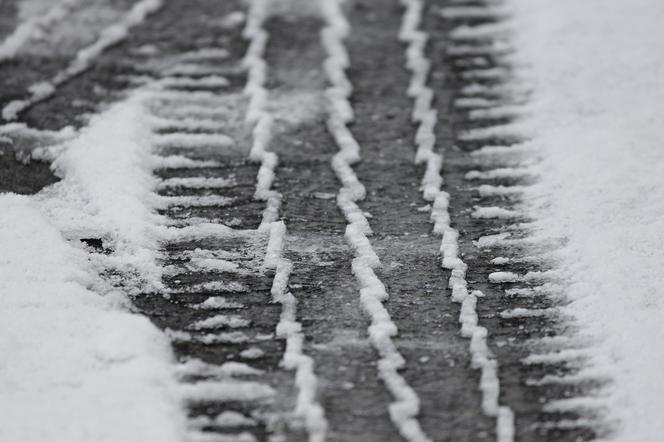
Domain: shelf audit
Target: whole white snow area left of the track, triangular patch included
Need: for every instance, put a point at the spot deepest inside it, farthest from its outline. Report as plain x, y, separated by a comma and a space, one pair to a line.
78, 365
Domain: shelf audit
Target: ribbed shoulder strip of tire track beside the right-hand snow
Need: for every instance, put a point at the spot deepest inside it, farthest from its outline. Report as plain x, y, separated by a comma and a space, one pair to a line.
541, 360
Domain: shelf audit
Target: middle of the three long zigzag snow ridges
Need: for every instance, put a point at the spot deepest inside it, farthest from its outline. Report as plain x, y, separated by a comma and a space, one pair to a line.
405, 408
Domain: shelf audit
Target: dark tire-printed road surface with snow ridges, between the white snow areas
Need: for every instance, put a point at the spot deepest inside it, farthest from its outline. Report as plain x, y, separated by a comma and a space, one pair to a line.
353, 261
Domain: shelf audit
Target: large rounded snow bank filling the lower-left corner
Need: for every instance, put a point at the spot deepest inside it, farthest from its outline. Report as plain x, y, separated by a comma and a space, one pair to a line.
75, 366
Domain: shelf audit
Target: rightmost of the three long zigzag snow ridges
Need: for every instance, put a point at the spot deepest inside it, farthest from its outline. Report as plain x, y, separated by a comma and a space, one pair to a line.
425, 116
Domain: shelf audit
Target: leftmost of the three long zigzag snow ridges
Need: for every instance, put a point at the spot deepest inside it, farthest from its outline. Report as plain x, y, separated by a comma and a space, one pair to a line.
288, 328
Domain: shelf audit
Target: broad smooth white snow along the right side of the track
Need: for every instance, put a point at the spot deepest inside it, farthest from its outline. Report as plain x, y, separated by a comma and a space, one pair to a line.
597, 69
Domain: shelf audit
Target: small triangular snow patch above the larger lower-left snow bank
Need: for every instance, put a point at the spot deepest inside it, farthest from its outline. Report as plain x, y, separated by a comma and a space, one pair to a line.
107, 192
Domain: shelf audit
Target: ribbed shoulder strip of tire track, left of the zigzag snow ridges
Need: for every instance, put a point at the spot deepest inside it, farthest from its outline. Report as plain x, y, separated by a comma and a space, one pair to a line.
216, 299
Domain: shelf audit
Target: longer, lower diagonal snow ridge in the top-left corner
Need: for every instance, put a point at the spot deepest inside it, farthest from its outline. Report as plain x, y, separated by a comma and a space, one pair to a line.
84, 58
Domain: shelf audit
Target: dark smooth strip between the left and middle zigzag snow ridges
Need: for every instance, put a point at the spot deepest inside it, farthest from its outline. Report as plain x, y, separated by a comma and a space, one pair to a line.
350, 390
